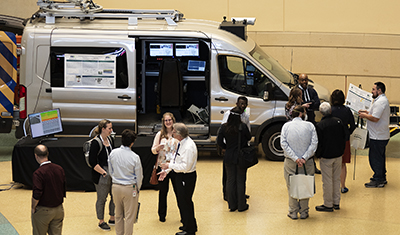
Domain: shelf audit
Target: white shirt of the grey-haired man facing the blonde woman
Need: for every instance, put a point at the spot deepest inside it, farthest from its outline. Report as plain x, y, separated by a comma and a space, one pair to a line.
186, 158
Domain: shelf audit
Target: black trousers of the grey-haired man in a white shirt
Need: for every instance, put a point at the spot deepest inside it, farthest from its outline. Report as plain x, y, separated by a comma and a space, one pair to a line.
185, 184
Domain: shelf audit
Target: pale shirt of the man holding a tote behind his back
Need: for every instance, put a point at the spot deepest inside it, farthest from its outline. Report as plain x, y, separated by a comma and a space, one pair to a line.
299, 139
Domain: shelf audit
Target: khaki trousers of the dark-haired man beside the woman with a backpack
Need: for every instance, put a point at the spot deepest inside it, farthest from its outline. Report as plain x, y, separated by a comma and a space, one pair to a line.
126, 206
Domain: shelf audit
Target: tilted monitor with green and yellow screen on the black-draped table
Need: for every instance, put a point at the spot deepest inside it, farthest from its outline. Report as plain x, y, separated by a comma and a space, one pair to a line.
45, 123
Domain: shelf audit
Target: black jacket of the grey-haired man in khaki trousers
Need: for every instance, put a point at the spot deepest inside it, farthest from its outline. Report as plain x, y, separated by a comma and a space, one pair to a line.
331, 137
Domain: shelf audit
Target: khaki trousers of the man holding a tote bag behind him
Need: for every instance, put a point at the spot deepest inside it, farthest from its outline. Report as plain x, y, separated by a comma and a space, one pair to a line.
296, 205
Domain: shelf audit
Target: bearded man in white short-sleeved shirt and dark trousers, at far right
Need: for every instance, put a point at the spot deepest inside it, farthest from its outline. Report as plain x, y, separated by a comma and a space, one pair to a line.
378, 118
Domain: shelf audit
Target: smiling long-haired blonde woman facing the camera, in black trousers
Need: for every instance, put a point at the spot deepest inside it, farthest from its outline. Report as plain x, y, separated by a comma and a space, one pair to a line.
165, 146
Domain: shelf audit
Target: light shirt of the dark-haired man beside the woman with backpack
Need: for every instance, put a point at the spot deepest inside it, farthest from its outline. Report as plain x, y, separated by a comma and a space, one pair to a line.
125, 167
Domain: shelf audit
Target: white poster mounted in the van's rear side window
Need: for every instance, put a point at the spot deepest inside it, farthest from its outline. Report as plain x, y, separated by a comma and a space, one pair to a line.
97, 71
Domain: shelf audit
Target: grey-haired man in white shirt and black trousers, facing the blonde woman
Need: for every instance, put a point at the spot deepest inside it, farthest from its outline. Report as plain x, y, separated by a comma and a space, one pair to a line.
184, 167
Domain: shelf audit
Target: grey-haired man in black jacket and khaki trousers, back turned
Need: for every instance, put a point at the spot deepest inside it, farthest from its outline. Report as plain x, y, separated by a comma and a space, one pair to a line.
331, 143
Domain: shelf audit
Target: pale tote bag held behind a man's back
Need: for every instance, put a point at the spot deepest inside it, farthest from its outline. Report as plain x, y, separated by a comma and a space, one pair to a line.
301, 186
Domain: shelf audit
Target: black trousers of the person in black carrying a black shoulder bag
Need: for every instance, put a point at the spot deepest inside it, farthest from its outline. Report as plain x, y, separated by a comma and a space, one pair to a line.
236, 186
